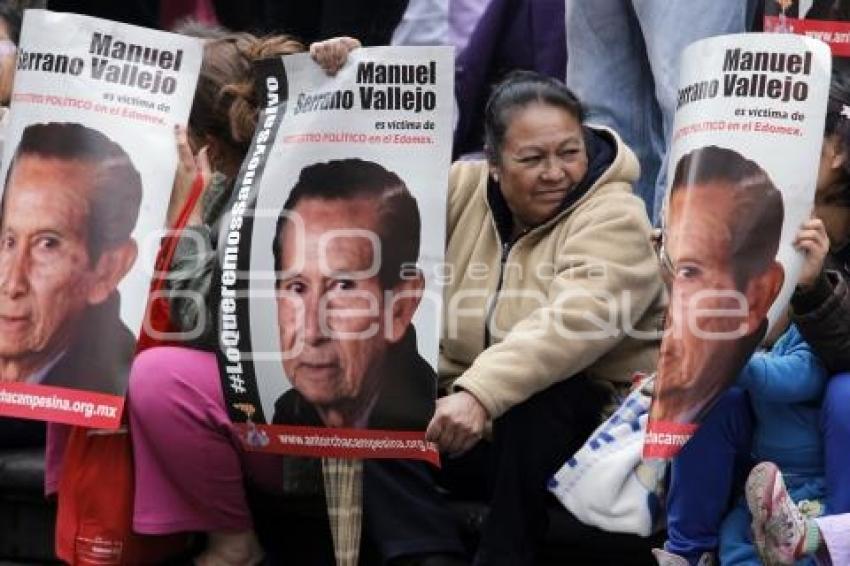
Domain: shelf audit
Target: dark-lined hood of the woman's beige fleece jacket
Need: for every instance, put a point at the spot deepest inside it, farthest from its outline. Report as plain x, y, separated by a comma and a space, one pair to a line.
608, 160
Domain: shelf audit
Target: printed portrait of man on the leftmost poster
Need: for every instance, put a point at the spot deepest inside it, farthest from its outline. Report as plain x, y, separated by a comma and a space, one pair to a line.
71, 201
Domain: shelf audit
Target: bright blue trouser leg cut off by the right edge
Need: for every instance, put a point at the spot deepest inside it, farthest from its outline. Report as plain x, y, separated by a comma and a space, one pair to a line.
835, 418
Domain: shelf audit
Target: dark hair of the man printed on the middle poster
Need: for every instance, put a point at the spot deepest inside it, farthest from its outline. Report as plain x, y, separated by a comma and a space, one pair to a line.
399, 223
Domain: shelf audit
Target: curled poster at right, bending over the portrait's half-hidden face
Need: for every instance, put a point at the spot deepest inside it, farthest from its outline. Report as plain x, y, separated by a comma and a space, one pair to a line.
744, 159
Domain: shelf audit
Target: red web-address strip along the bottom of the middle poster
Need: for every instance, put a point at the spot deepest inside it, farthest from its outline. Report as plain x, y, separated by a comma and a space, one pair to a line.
338, 442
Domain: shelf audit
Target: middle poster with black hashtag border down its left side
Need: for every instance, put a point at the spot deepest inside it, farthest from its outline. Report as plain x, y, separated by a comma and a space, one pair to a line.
330, 306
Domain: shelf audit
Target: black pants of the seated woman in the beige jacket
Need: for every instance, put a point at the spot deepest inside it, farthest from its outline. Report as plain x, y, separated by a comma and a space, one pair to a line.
530, 443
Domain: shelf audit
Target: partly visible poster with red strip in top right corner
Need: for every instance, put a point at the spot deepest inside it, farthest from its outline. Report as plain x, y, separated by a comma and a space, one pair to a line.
827, 20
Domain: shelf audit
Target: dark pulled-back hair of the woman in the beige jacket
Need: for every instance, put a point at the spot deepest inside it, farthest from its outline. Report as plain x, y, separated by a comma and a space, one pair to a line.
516, 91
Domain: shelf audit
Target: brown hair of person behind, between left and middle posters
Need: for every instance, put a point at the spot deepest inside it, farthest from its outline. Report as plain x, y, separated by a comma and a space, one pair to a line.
226, 104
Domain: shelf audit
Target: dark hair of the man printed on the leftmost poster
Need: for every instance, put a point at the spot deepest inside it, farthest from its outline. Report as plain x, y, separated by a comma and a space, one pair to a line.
116, 184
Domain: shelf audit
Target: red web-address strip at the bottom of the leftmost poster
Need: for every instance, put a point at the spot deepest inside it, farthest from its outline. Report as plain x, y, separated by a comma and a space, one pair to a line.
61, 405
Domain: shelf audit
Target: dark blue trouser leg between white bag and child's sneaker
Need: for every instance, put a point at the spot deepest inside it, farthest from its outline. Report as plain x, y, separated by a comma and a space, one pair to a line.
703, 475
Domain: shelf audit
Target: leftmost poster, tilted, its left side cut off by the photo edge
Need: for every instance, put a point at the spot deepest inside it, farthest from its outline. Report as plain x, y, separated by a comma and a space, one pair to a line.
88, 164
